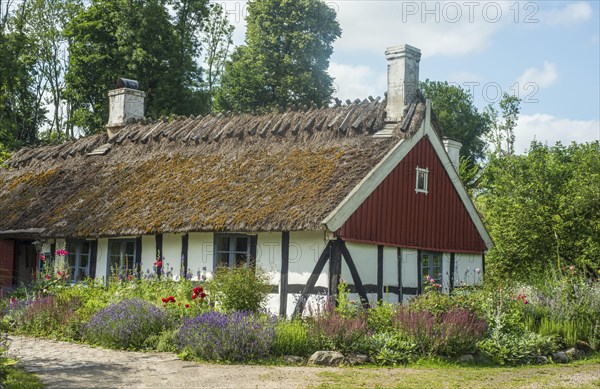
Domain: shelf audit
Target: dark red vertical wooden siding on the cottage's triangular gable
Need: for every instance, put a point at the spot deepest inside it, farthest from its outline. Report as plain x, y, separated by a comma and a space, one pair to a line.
394, 214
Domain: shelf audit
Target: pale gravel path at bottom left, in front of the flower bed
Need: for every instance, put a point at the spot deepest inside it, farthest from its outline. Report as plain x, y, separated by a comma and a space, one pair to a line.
68, 365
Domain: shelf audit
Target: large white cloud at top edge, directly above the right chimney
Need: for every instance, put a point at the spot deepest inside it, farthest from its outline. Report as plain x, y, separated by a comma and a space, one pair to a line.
437, 28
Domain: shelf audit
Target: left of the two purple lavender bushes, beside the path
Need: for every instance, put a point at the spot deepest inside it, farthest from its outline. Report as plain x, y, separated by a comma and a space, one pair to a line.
126, 325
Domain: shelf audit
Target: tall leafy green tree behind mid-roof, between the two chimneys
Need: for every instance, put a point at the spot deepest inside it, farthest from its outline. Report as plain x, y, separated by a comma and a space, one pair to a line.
285, 58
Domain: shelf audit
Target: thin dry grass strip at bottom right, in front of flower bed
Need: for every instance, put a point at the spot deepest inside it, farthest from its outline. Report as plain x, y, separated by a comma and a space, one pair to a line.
580, 374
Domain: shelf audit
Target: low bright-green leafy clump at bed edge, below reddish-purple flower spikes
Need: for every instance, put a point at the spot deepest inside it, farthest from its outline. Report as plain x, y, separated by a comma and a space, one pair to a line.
392, 348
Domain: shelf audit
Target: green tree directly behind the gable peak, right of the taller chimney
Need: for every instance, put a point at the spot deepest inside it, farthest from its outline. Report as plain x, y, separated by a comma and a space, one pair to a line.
458, 117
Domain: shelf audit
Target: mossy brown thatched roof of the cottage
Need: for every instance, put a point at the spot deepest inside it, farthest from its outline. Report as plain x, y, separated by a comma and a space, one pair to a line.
279, 171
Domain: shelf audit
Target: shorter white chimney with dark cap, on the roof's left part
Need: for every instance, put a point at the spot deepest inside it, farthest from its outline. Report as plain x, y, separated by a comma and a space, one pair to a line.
126, 105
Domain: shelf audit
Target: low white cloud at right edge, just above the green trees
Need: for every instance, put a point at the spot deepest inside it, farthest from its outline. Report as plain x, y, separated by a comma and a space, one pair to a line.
550, 129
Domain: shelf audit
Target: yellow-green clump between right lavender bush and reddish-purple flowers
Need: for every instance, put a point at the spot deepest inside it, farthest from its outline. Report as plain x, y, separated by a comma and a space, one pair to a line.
293, 338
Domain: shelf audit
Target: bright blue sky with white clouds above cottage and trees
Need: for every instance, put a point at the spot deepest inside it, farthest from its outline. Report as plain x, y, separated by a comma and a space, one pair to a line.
545, 52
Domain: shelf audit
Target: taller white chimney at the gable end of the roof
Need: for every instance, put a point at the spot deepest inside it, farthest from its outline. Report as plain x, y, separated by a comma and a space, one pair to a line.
403, 79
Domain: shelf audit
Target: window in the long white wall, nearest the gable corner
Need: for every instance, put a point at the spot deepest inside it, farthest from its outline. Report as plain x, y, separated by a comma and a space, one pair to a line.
233, 250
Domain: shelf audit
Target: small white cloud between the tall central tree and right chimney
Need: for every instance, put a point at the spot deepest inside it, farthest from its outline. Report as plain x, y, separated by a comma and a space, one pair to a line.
356, 81
